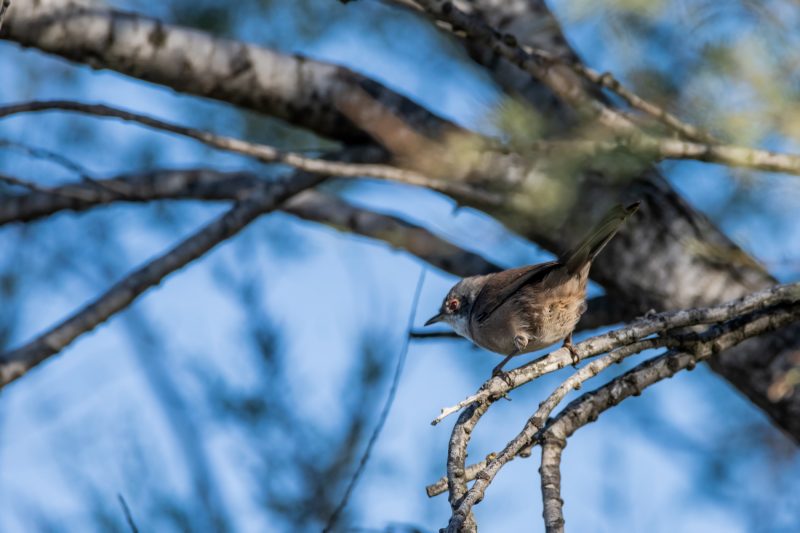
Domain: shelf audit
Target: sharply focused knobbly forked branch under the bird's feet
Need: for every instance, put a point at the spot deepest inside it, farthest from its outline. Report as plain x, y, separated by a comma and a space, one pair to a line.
689, 336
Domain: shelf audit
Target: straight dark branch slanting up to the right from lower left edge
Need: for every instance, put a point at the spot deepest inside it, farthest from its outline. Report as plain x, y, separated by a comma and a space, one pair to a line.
16, 363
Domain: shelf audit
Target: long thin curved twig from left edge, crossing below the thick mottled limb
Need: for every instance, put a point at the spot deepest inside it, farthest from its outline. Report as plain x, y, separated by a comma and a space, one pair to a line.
263, 152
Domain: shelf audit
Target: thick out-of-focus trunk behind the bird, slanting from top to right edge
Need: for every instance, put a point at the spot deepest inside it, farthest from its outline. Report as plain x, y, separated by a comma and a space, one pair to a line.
671, 257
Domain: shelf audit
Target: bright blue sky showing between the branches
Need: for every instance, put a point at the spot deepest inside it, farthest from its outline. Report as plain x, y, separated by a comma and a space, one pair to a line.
89, 417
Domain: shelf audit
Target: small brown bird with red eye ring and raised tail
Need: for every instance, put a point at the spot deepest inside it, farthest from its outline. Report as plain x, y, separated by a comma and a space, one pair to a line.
524, 309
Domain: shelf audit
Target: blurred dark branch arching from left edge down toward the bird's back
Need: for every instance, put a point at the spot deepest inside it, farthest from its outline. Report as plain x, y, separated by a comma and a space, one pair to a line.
206, 184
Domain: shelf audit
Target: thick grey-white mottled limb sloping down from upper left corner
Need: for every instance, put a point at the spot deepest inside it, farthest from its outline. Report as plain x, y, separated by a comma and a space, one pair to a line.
298, 89
